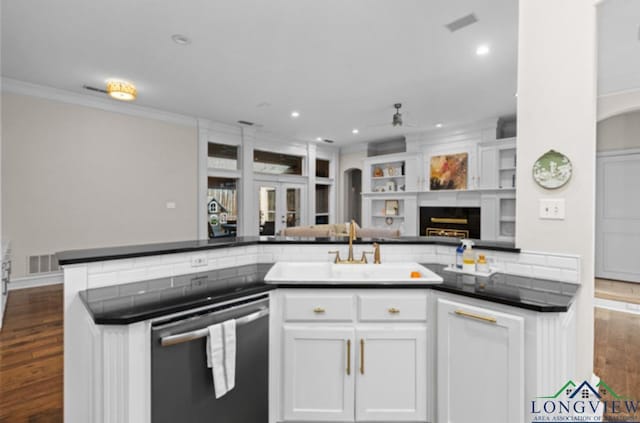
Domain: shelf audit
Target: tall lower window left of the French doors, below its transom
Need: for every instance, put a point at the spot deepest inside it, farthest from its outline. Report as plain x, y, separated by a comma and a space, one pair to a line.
222, 207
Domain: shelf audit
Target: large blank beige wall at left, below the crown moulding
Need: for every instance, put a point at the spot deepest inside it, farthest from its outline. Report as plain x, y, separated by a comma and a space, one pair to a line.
77, 177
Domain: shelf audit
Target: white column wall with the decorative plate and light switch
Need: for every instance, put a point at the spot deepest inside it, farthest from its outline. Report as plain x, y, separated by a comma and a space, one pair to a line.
557, 110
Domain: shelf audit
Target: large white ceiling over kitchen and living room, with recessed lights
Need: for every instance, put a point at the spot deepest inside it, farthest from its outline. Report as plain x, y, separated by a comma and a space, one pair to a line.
342, 64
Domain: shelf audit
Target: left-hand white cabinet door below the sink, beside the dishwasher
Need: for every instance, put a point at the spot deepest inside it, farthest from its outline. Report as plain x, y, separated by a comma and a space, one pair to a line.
319, 373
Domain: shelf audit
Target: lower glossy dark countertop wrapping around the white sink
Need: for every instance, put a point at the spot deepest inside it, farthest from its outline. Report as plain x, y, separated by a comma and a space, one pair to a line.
134, 302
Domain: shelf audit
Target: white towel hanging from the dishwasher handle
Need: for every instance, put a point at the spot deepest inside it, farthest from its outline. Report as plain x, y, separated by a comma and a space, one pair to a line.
221, 356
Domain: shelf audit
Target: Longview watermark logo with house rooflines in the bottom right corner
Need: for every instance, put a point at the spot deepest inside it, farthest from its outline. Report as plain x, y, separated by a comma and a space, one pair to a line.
585, 403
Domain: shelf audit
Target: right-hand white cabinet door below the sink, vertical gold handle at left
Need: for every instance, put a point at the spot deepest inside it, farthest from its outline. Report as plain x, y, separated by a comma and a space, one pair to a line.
391, 382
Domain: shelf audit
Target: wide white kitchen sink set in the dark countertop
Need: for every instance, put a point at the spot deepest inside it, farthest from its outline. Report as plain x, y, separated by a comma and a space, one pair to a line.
330, 273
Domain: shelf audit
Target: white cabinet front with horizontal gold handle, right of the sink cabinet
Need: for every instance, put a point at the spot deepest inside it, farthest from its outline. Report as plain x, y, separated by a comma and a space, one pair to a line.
480, 362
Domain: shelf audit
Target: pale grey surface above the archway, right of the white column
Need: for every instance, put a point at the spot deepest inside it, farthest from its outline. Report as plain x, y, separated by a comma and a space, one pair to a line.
618, 46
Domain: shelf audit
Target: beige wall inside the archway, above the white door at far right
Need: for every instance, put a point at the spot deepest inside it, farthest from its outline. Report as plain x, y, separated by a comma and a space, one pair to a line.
619, 132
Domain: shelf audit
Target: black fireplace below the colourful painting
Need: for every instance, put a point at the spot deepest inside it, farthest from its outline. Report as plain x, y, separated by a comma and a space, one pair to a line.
455, 222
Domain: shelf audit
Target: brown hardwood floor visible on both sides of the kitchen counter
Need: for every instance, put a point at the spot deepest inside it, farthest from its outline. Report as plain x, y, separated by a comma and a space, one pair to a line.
31, 362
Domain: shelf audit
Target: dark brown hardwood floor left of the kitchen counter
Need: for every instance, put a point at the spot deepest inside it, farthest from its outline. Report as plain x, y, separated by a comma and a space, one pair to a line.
31, 357
